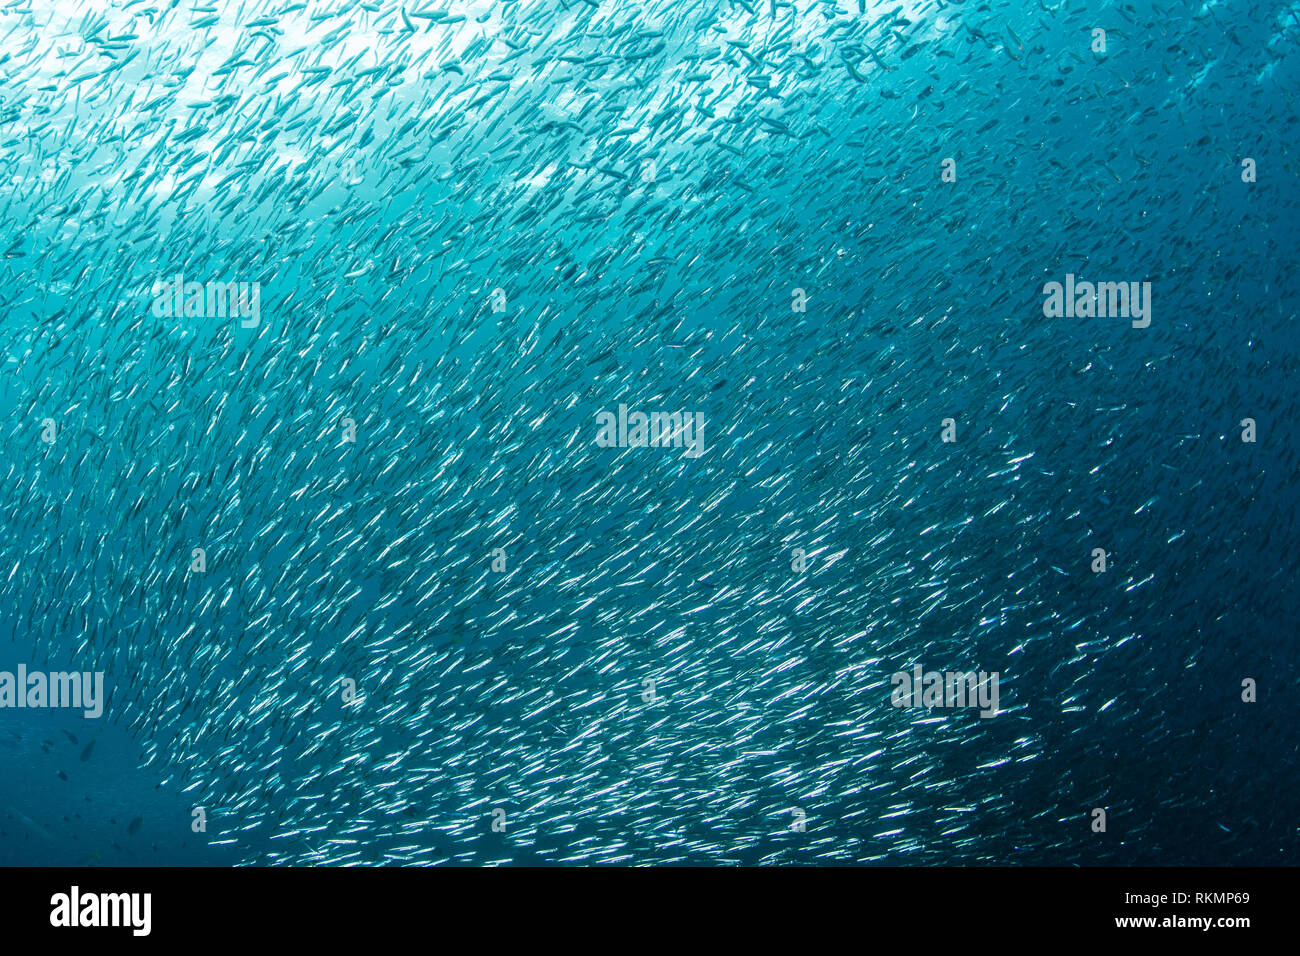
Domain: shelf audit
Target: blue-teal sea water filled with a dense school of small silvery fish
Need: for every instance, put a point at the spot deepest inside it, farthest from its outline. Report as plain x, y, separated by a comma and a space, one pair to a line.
474, 230
